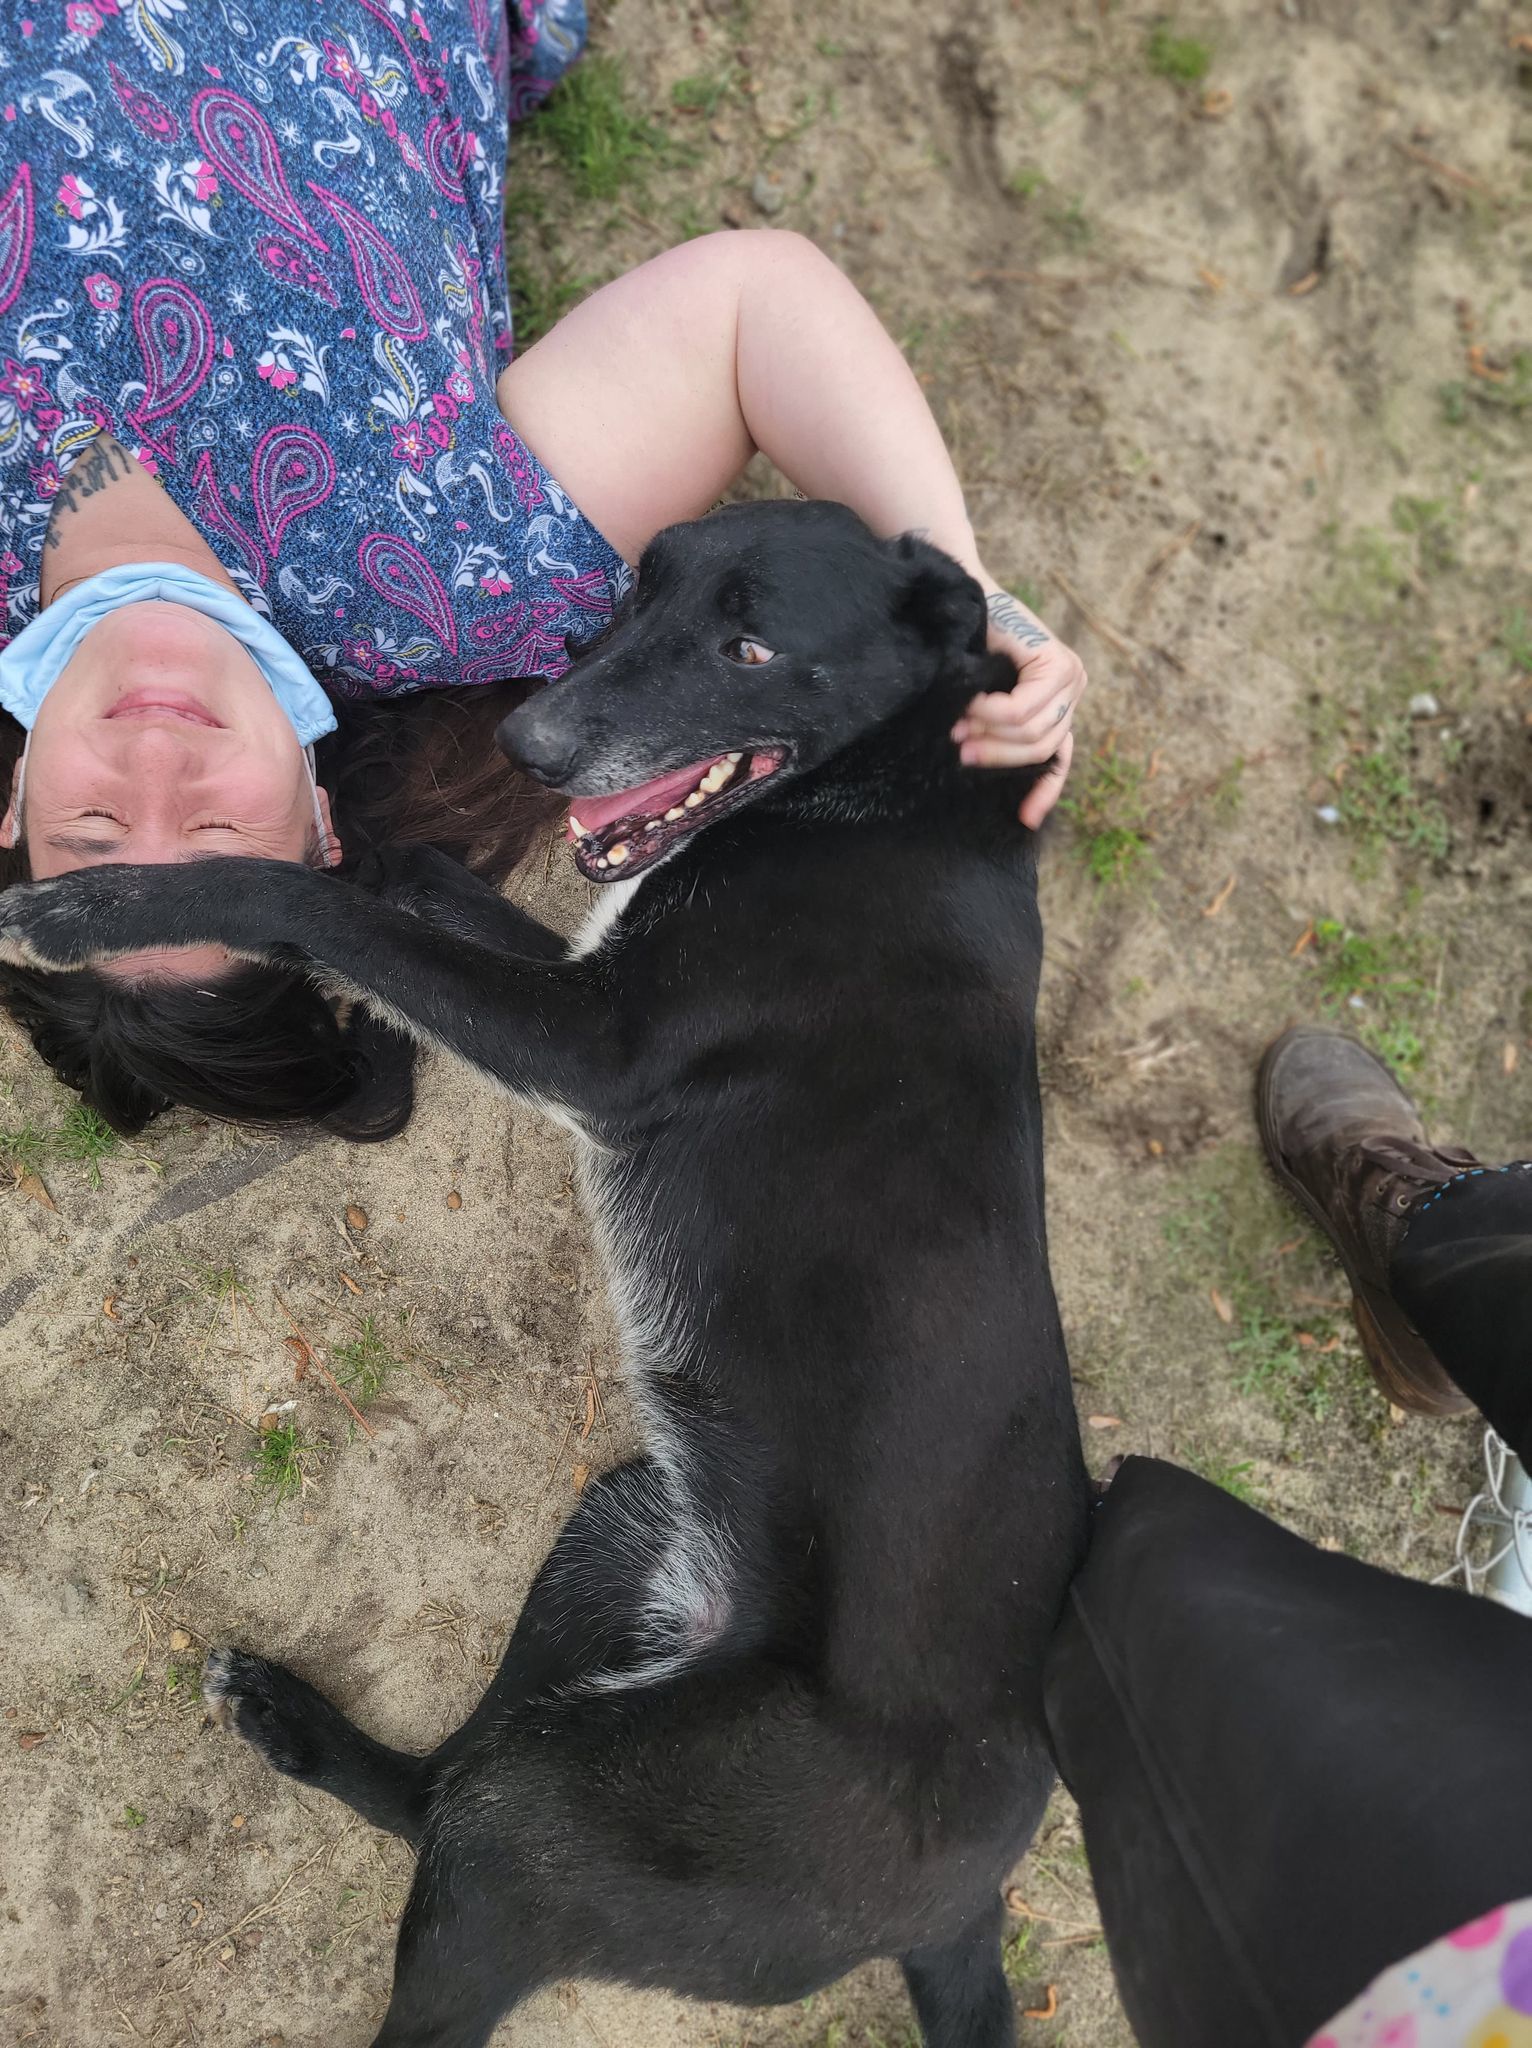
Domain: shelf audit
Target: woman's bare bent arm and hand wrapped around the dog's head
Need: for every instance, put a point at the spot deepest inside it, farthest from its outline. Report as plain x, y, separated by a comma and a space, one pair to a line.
648, 400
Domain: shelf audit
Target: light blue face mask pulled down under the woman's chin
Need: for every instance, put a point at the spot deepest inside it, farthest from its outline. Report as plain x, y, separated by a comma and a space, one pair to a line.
38, 656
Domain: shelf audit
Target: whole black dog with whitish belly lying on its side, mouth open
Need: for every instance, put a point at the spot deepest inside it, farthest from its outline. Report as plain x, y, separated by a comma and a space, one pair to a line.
773, 1705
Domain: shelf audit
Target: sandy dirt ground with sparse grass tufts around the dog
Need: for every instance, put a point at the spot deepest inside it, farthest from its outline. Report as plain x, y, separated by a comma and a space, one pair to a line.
1230, 327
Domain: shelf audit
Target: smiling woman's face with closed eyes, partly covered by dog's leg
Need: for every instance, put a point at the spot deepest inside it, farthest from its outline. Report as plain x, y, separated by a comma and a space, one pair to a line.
161, 742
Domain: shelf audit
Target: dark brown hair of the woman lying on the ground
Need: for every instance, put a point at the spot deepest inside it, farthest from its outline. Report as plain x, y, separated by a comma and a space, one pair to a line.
263, 1046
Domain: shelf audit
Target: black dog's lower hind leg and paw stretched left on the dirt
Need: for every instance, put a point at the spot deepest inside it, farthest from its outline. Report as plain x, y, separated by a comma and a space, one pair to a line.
298, 1732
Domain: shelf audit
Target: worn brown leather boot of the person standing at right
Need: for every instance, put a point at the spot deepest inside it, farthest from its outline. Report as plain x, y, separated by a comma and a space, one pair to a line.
1349, 1144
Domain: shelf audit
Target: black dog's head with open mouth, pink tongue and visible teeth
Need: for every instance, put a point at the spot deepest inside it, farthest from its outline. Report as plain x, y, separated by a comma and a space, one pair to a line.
761, 642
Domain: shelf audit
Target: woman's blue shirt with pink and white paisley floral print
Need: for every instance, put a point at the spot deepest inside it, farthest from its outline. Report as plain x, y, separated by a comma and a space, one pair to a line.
263, 247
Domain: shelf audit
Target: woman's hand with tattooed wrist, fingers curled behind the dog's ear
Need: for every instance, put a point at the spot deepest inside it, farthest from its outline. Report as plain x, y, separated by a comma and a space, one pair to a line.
1037, 720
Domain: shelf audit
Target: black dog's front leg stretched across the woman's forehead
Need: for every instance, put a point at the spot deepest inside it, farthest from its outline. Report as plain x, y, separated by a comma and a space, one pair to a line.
540, 1025
